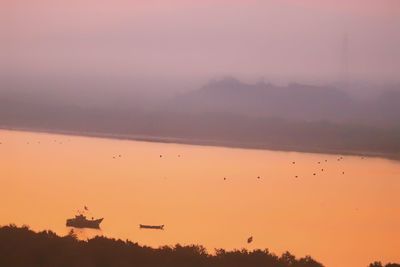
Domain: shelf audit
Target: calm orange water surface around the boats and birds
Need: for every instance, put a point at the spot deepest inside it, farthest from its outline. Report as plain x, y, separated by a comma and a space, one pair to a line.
340, 219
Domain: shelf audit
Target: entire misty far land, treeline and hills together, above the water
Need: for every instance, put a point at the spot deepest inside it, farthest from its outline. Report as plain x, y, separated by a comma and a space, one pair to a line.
226, 113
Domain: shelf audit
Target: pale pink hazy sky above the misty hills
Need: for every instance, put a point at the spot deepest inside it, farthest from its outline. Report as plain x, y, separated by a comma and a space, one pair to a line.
287, 40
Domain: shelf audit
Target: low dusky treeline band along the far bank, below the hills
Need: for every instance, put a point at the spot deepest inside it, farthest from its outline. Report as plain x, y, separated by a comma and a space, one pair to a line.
220, 129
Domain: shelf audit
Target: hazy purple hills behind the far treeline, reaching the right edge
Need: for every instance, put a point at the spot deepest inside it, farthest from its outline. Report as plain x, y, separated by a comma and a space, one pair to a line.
295, 102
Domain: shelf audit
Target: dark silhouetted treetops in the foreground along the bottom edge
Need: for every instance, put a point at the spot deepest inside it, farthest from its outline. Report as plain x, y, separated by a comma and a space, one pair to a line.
20, 246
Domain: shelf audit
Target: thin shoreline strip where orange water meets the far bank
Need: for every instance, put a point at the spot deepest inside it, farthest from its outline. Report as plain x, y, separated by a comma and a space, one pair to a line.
203, 142
